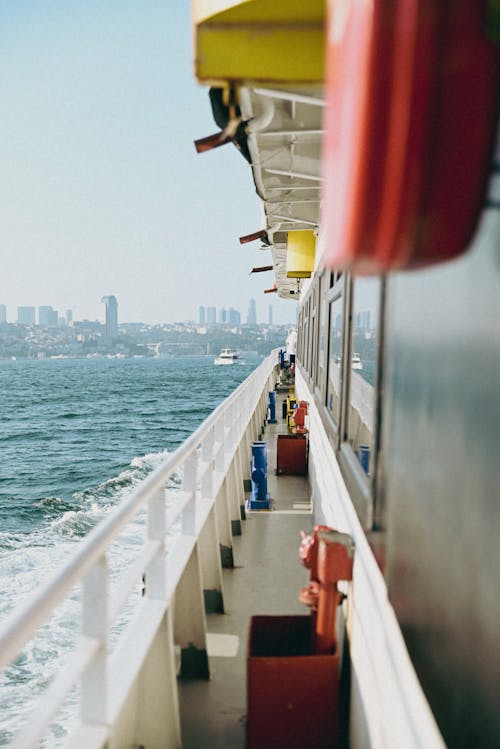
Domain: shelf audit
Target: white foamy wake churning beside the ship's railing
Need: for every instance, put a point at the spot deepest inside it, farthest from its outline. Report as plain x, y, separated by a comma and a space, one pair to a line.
27, 561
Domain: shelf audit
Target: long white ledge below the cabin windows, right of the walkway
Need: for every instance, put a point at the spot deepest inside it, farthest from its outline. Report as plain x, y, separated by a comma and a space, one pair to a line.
388, 706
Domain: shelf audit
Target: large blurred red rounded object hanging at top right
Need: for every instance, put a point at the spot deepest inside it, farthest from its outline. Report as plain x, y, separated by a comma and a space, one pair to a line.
410, 117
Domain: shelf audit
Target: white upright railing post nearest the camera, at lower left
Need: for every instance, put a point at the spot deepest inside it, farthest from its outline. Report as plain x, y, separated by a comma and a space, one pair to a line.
94, 700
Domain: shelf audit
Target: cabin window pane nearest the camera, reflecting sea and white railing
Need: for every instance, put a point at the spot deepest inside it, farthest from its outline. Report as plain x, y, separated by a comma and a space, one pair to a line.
364, 345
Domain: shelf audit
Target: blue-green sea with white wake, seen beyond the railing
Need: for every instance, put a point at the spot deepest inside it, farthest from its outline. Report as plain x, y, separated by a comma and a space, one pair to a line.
76, 436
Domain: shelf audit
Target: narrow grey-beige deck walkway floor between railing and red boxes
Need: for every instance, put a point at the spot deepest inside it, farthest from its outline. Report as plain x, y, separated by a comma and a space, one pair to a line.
265, 580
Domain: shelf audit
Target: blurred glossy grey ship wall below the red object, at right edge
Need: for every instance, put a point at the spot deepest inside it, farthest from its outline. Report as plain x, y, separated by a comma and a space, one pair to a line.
442, 514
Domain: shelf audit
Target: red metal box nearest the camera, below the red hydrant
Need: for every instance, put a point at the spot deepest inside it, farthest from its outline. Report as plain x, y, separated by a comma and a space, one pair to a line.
292, 694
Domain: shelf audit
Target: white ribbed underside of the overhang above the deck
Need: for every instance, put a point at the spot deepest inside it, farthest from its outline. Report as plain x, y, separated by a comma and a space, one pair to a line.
284, 139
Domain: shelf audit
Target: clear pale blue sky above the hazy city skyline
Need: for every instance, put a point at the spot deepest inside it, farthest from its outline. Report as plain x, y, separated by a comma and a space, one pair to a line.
101, 190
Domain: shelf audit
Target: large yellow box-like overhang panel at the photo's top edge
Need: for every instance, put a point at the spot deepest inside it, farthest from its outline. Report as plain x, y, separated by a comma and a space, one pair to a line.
259, 42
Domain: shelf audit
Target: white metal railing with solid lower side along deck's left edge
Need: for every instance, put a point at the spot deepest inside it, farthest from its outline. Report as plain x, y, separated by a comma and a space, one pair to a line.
212, 462
